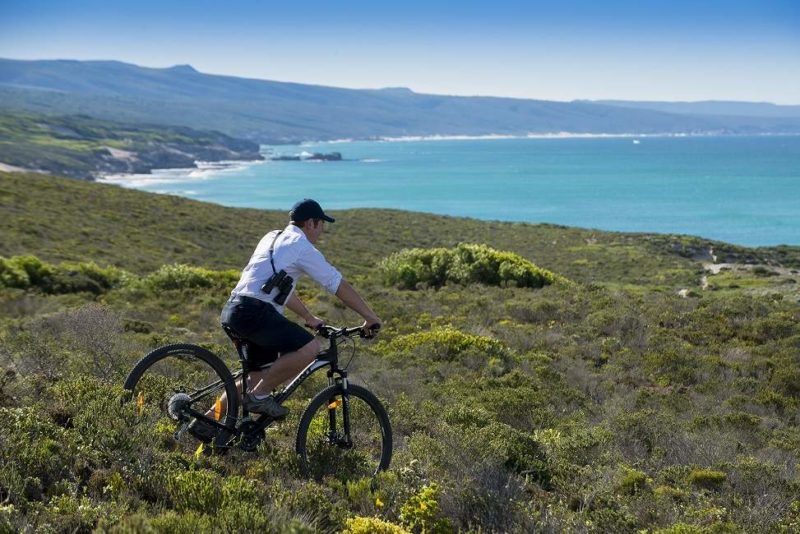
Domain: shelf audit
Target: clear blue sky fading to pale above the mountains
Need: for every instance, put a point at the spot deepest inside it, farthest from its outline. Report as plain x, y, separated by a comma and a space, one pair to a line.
675, 50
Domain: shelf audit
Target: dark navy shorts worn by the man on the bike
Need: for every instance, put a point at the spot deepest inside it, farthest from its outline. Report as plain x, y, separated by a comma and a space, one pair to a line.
270, 334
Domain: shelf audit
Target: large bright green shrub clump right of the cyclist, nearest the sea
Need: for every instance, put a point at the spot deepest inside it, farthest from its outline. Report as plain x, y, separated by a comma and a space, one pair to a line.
464, 264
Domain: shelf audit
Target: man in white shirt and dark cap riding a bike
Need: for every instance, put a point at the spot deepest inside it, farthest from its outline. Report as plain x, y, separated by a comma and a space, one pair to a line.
257, 315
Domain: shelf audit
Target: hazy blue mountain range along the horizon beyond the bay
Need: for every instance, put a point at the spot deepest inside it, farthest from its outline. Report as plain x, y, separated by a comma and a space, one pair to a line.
273, 112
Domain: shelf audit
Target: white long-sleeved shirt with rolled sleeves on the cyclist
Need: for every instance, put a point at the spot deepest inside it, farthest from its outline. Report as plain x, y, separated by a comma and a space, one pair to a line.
293, 253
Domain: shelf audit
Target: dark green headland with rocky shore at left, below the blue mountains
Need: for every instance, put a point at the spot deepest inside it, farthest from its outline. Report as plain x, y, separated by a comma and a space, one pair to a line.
83, 147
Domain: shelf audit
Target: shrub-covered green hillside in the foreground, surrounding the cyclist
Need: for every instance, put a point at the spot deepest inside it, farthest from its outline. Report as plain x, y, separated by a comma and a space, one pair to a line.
653, 390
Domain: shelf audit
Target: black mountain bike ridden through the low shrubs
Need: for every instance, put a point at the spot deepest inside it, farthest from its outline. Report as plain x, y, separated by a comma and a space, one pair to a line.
344, 431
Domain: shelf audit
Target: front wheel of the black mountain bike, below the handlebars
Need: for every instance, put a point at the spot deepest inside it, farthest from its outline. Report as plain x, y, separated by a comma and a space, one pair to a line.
346, 435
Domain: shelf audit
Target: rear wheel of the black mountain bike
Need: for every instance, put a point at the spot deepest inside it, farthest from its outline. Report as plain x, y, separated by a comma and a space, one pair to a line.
187, 368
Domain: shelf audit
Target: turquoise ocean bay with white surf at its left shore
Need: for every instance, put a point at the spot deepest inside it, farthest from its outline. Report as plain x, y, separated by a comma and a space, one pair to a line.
743, 190
